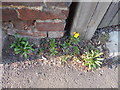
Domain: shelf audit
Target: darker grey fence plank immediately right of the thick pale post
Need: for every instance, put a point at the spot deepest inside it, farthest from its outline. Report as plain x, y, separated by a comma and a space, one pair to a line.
109, 15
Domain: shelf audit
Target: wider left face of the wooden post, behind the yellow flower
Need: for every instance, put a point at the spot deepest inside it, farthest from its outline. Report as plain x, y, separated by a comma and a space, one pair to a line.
82, 17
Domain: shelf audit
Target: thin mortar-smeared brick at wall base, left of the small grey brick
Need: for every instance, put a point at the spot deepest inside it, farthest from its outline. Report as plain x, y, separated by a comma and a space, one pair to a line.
37, 34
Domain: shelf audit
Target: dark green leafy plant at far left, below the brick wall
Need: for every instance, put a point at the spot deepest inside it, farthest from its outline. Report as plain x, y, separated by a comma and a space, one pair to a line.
21, 46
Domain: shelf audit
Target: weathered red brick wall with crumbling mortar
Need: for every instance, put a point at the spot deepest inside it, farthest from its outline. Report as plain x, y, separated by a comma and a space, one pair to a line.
36, 19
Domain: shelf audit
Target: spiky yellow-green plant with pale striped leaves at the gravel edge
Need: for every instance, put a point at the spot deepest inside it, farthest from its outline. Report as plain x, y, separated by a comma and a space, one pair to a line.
92, 59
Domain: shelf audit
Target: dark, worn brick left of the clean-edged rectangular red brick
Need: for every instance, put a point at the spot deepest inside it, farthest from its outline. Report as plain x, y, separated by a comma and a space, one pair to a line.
23, 25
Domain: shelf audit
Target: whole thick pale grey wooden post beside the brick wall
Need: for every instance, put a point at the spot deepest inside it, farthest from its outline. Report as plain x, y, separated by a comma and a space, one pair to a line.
88, 17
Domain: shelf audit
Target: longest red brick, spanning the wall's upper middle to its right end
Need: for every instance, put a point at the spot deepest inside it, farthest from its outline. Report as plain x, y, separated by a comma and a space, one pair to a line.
28, 14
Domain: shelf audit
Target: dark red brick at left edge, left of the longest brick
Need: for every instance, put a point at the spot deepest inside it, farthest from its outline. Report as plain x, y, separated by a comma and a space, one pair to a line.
9, 14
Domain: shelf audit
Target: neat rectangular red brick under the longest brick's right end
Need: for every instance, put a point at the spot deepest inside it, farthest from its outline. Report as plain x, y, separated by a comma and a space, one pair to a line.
50, 26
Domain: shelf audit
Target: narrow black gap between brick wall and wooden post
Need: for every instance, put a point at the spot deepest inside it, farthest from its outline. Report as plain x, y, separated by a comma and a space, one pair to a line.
70, 18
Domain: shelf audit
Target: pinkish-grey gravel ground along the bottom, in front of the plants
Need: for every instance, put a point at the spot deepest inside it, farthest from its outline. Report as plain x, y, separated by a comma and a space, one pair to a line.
44, 76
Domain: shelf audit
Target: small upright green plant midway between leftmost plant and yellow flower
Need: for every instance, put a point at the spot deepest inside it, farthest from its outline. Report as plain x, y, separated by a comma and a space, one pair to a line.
53, 47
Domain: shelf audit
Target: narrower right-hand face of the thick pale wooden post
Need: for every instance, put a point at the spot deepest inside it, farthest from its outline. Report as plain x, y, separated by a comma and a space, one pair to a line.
96, 19
